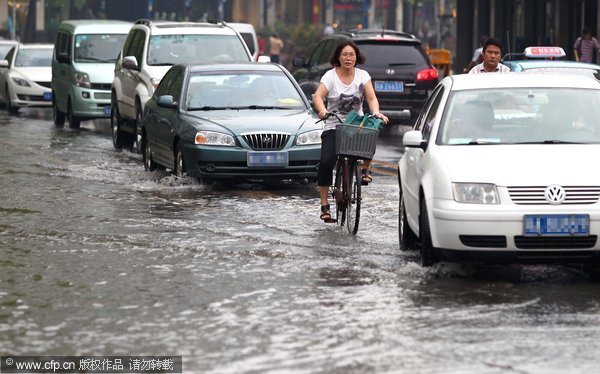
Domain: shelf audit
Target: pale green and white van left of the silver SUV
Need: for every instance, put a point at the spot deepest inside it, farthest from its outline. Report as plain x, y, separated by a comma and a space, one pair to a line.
83, 65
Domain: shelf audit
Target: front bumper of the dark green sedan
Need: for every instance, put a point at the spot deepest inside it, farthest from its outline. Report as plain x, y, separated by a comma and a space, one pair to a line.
213, 162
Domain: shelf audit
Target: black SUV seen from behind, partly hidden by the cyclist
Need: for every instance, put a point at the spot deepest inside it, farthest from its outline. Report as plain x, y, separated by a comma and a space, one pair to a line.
401, 72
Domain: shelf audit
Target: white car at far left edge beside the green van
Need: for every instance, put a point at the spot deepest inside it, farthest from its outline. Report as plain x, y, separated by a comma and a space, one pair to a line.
25, 77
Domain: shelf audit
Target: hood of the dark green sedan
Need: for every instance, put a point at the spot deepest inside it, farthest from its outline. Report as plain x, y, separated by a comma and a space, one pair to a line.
241, 121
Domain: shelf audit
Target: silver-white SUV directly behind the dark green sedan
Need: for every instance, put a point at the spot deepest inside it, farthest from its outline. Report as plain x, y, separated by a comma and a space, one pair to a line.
150, 49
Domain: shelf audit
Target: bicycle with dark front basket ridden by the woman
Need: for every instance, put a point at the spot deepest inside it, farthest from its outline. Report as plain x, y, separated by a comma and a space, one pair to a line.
353, 144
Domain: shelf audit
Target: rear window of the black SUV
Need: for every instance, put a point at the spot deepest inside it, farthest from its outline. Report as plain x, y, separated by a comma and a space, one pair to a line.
386, 54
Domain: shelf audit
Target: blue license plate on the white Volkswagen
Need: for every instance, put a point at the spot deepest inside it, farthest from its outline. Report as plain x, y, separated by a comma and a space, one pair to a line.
556, 225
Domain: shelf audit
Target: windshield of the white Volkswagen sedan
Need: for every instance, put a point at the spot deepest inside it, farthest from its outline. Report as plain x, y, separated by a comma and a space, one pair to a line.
521, 116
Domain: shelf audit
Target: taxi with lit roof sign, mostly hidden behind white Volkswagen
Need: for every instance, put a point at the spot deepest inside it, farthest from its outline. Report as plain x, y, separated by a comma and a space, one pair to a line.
541, 59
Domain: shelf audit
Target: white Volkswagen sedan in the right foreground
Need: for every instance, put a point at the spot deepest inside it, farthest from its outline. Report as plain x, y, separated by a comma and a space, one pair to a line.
501, 168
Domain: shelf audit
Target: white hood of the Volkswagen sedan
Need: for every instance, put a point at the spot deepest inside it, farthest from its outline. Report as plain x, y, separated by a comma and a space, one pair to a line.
521, 165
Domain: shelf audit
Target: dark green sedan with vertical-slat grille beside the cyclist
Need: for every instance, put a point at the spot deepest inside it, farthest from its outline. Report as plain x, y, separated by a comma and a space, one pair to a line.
231, 121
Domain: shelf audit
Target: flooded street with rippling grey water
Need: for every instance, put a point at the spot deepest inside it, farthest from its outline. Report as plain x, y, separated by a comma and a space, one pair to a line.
99, 257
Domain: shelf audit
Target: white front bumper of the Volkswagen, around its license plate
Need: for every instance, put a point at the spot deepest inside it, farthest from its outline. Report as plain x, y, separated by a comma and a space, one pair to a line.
500, 228
